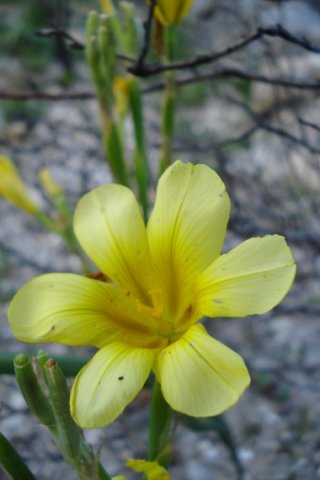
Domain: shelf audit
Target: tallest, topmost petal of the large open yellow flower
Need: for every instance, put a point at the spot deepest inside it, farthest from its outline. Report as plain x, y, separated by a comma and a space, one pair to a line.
186, 228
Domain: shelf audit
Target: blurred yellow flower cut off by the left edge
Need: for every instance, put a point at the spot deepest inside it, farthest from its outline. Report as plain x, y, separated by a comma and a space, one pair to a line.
12, 187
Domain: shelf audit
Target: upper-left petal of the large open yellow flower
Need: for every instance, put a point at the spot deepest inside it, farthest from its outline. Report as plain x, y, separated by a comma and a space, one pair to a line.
109, 226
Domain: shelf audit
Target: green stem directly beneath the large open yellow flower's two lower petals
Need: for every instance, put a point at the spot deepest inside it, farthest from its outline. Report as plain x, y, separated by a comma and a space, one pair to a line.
159, 424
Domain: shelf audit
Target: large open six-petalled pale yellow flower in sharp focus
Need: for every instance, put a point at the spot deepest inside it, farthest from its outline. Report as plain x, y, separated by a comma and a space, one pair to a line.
163, 279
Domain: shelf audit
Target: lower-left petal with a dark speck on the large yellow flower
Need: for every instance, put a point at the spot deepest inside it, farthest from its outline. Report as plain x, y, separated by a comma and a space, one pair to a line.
111, 380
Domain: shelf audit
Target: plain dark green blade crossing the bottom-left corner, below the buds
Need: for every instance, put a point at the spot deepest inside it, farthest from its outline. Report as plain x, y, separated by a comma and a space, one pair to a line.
12, 463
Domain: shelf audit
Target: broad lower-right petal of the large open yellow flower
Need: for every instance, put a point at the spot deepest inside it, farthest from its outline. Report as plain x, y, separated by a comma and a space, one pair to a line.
200, 376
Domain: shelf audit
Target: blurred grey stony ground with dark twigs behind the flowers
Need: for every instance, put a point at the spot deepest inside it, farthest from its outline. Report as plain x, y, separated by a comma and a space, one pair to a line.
253, 116
